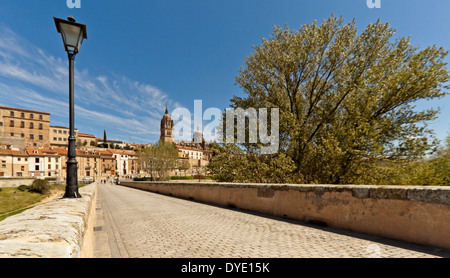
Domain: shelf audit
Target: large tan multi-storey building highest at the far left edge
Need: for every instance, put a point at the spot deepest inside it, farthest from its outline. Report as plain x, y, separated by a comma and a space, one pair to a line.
21, 128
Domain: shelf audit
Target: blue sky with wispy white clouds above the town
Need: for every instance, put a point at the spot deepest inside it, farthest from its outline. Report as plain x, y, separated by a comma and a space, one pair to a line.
142, 55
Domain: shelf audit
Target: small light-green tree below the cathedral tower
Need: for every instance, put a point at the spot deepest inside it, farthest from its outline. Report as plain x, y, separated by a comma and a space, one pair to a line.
160, 158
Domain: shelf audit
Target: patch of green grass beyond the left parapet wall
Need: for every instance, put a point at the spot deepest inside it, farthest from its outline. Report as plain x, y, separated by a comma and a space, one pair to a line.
14, 201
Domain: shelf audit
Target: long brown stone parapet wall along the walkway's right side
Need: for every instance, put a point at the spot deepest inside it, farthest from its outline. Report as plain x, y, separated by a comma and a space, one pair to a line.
418, 214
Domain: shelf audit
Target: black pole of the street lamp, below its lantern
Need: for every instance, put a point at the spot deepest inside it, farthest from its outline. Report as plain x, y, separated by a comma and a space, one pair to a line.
72, 164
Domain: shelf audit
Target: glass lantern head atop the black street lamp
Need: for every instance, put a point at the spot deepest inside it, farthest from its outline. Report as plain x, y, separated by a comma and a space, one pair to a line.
72, 33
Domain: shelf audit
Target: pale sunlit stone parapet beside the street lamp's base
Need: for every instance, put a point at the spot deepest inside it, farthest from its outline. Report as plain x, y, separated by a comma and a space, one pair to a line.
61, 228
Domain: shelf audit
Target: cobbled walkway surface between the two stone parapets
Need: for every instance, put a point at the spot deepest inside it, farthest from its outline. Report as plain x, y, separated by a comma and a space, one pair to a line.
138, 224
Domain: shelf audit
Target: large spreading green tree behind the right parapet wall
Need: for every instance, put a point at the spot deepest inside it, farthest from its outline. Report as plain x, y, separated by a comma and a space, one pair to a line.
344, 98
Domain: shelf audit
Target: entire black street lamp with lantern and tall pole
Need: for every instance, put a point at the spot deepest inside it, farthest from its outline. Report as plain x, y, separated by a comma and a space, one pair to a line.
72, 34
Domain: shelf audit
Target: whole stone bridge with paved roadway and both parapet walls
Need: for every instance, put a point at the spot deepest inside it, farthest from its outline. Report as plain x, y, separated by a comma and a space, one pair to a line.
221, 220
